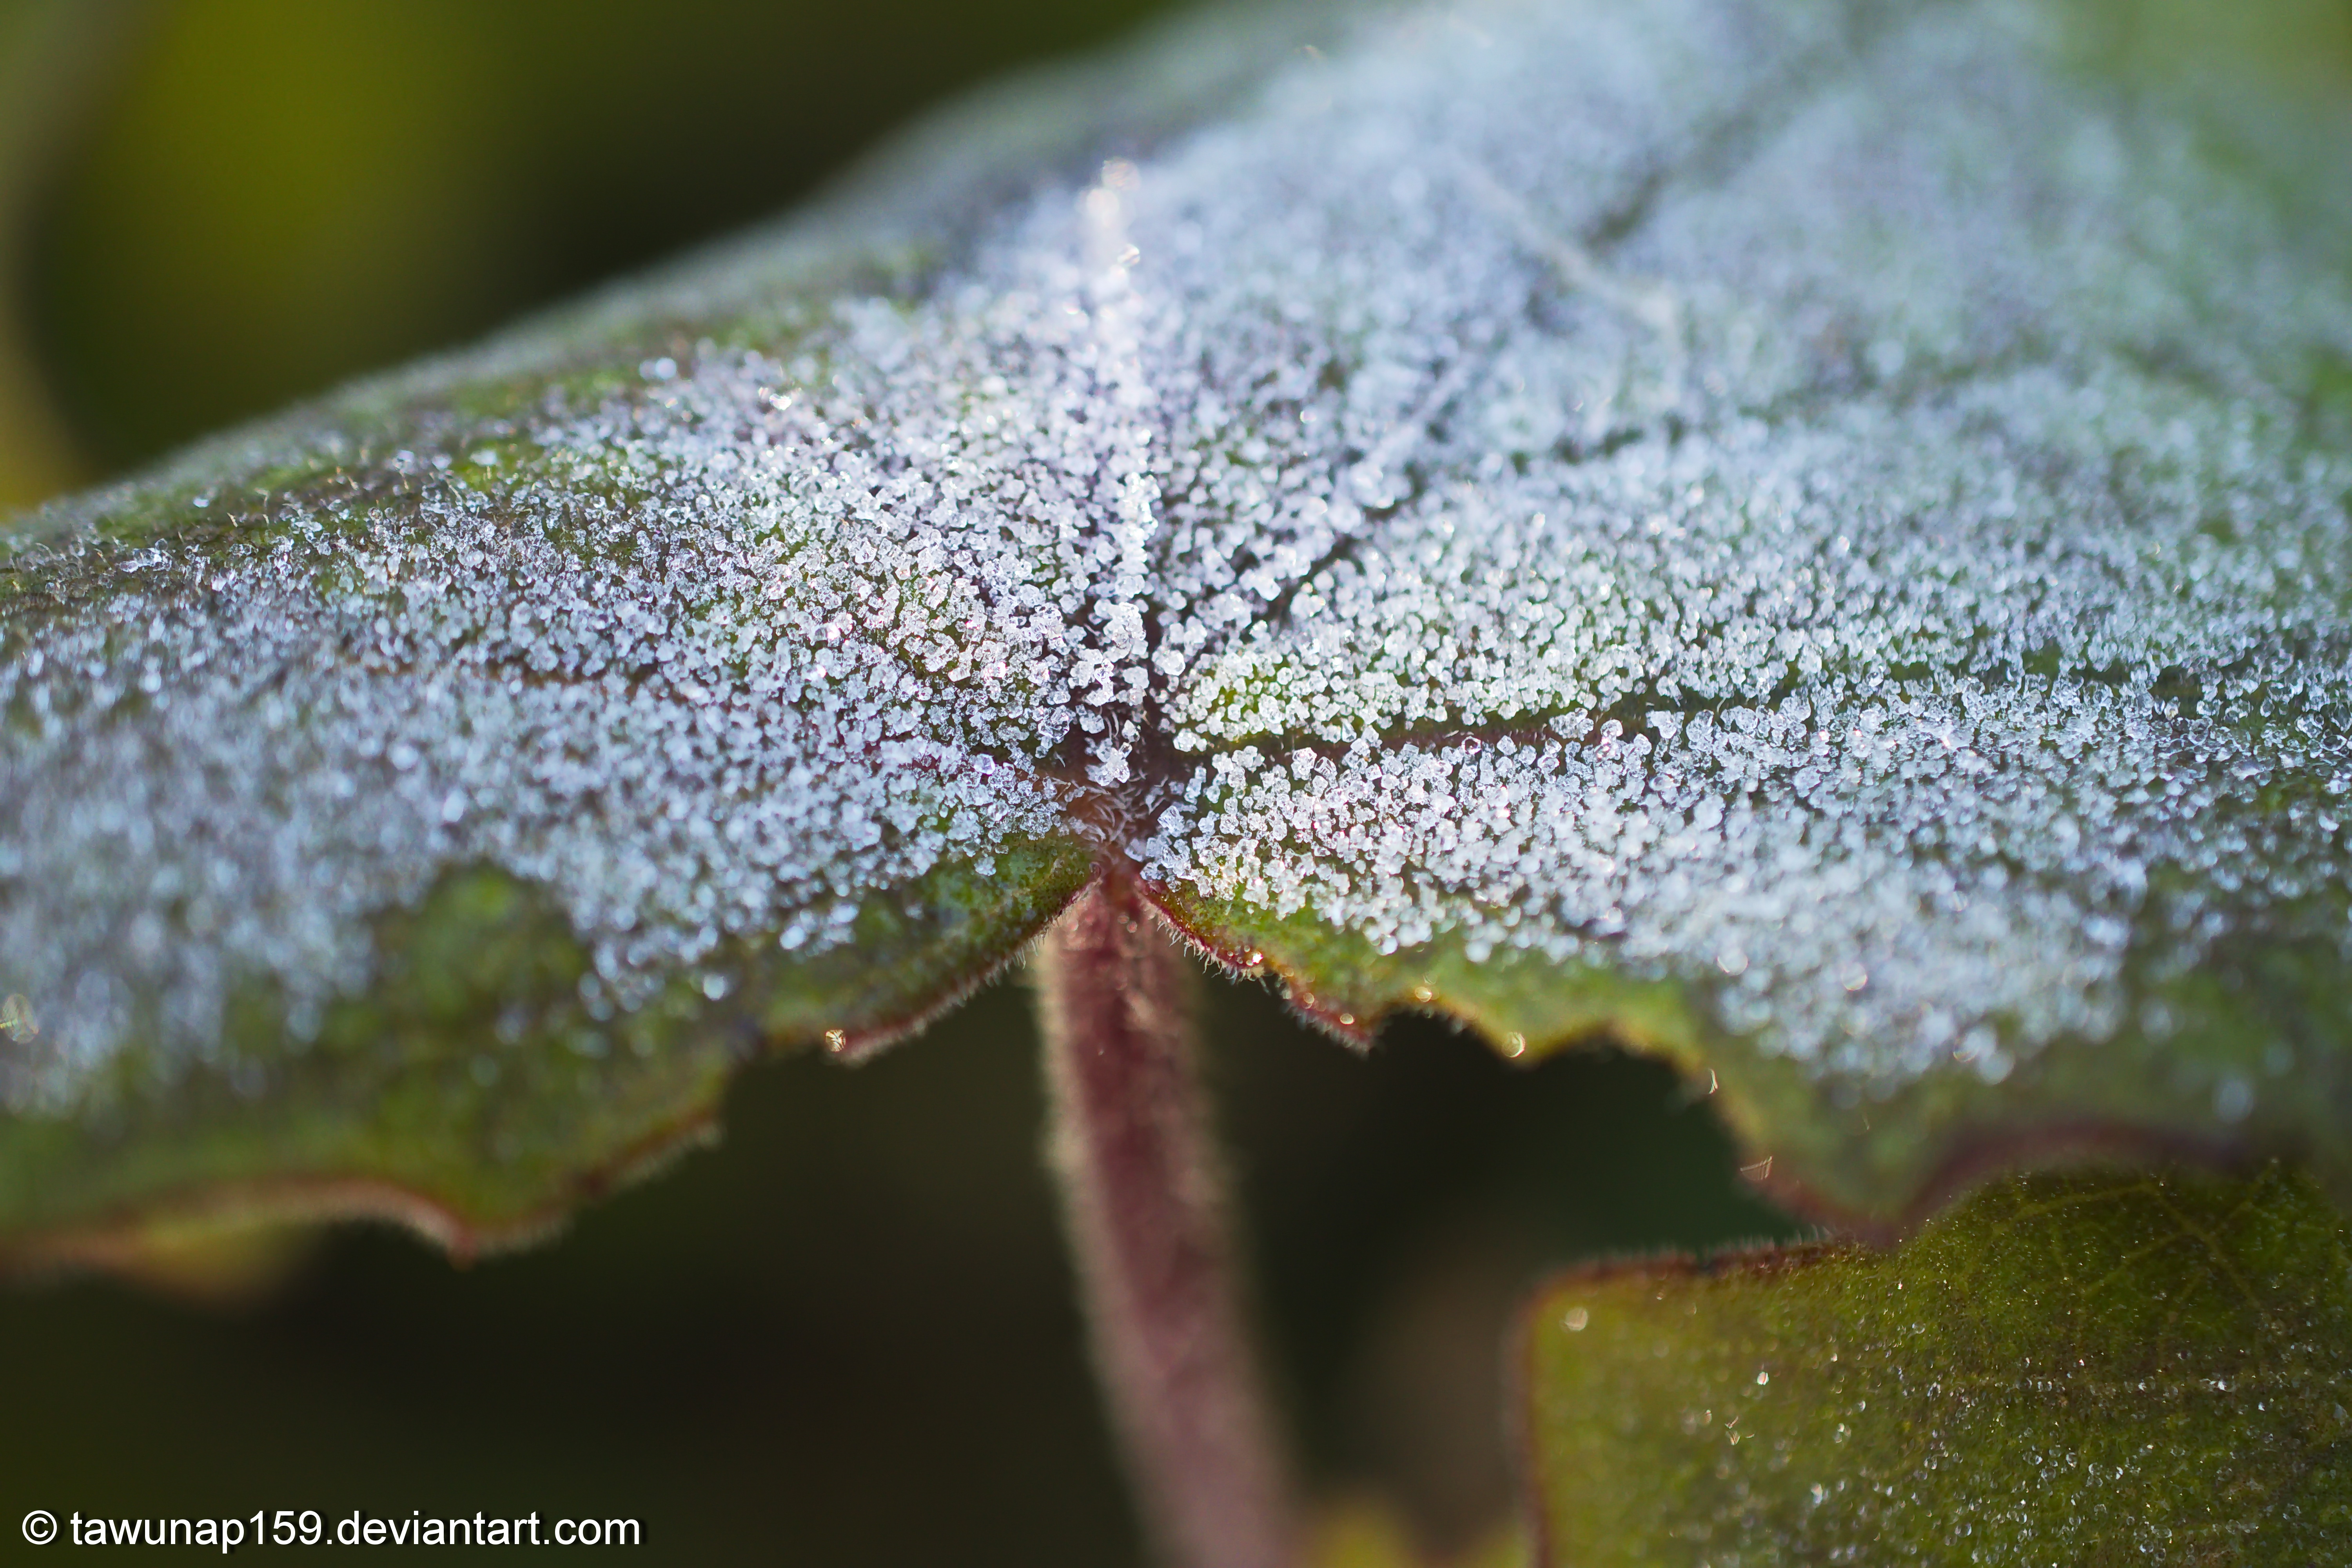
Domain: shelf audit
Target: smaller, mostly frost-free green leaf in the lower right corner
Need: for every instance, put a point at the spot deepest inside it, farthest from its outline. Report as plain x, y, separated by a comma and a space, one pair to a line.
2066, 1369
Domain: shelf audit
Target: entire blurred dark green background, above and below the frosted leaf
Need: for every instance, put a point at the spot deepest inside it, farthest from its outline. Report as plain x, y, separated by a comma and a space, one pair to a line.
848, 1334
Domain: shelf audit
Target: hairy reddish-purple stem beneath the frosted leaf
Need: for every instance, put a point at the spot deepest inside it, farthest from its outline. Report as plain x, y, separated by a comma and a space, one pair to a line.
1147, 1214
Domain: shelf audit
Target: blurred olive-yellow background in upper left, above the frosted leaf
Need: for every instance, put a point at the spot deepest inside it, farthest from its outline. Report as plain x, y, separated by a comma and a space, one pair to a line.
218, 208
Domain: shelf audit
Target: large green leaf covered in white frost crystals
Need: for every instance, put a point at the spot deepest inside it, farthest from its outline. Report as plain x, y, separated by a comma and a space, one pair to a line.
1808, 537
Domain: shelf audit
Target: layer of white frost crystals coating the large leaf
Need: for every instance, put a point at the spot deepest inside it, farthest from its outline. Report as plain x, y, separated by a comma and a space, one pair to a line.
1805, 500
